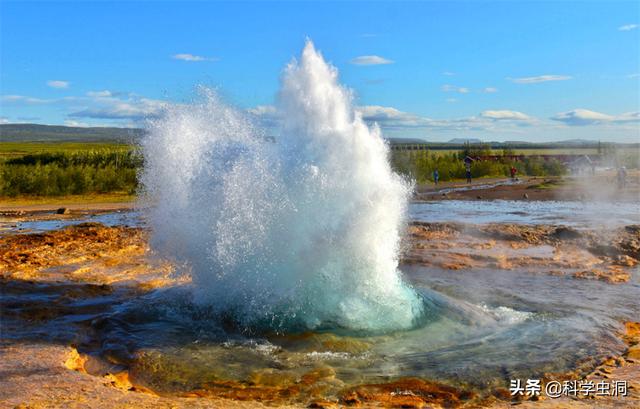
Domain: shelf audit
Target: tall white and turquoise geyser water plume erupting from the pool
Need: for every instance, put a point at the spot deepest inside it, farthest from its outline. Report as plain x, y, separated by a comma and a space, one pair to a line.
298, 233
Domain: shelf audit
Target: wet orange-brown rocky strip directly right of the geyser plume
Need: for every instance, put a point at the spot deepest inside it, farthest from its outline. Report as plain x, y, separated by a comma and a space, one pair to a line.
602, 255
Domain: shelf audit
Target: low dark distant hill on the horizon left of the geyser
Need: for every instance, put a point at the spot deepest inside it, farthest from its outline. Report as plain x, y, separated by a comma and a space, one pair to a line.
54, 133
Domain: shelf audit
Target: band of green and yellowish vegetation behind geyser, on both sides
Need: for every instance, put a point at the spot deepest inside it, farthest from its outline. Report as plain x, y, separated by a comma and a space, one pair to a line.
33, 169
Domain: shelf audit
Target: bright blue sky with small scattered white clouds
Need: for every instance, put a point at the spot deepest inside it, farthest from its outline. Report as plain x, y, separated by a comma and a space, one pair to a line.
533, 71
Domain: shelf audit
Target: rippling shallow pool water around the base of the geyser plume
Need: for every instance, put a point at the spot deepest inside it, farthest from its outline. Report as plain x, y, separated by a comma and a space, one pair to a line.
485, 327
